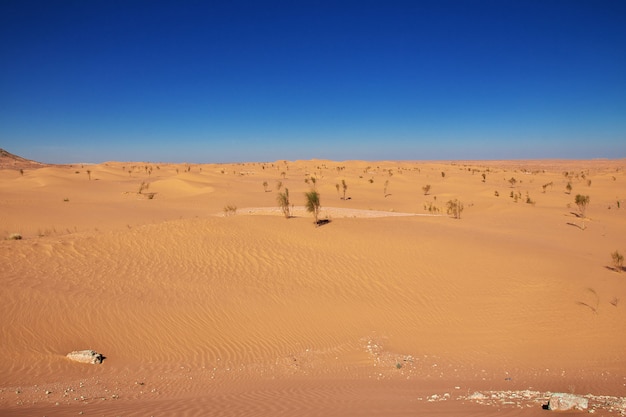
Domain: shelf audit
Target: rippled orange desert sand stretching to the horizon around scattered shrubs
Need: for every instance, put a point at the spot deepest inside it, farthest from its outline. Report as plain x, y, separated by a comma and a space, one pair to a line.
392, 308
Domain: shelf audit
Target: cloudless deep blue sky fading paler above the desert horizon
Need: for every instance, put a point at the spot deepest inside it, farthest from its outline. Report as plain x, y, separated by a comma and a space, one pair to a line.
222, 81
